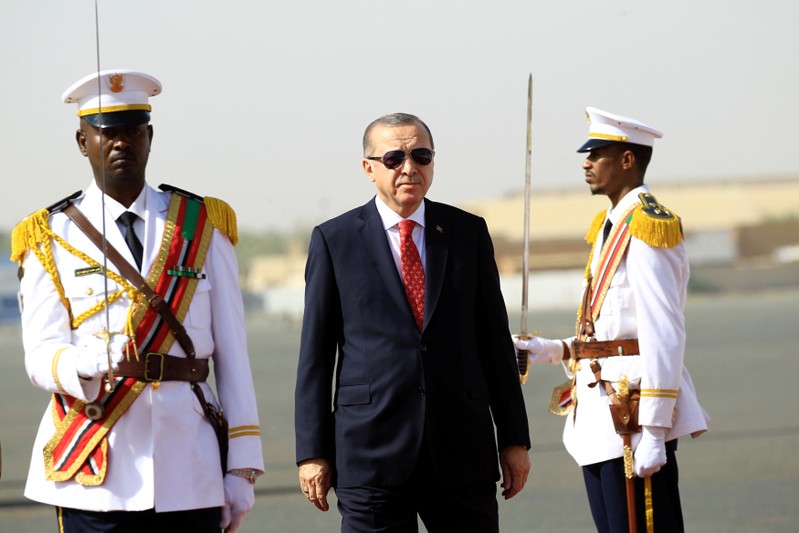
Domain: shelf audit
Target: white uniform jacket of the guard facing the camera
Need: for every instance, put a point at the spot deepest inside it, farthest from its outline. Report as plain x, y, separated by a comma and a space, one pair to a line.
163, 453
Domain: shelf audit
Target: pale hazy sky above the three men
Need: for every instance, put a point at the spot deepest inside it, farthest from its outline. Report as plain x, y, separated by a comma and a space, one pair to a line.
264, 102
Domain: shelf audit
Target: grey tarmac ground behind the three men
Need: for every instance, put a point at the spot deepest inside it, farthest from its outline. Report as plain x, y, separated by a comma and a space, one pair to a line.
742, 476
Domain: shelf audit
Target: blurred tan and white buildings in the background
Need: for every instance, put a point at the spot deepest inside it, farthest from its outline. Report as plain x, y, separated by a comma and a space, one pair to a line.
741, 235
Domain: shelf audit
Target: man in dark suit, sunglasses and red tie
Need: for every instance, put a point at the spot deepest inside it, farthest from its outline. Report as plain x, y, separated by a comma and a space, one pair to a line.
406, 365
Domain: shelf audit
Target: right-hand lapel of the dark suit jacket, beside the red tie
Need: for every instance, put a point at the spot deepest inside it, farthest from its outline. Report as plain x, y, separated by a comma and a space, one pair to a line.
437, 246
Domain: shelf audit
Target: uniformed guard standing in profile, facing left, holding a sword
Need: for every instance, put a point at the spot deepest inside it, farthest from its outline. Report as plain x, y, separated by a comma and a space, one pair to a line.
629, 396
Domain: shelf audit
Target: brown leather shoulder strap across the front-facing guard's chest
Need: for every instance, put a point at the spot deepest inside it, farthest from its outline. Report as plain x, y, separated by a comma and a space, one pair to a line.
131, 274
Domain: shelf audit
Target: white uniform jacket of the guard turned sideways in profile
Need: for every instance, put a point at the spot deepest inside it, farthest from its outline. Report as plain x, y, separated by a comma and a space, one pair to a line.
646, 300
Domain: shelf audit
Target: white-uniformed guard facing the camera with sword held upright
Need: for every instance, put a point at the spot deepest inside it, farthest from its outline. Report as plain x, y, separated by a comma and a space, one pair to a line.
127, 292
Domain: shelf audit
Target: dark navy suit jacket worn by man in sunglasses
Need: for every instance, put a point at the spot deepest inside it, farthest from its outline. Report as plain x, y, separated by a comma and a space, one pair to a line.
370, 385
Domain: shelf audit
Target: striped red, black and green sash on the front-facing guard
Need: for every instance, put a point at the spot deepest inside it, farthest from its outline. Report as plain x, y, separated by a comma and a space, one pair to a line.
79, 446
